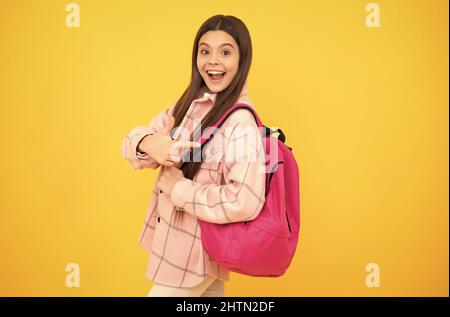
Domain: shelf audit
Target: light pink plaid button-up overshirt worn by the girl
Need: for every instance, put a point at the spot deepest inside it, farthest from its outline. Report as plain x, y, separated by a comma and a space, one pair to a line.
224, 190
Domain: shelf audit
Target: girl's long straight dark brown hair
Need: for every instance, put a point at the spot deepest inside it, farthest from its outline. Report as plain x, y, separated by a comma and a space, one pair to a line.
224, 99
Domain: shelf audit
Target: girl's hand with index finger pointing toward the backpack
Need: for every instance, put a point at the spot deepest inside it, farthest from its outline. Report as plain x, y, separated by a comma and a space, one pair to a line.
163, 149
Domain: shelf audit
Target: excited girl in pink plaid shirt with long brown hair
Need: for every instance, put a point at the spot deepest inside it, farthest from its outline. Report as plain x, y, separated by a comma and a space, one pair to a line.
220, 187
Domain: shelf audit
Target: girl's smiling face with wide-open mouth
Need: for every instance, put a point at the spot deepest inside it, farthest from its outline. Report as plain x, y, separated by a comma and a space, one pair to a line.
217, 59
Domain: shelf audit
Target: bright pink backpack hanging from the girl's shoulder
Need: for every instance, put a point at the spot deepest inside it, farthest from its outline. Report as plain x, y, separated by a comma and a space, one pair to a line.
266, 245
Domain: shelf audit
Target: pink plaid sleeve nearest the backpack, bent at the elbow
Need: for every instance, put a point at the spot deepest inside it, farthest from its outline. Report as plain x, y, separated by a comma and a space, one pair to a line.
242, 195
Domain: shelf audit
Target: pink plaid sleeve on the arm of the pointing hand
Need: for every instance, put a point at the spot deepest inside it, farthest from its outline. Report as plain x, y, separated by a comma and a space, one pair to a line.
131, 141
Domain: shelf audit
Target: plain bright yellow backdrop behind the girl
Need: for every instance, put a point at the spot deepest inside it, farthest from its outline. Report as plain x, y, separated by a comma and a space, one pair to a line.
364, 109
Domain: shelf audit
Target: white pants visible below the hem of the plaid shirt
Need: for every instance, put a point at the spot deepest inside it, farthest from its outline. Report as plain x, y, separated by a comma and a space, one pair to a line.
210, 287
